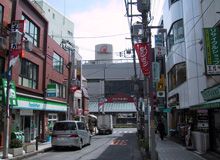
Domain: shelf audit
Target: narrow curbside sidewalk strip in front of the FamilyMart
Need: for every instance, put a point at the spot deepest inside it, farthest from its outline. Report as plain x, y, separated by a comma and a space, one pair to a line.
42, 147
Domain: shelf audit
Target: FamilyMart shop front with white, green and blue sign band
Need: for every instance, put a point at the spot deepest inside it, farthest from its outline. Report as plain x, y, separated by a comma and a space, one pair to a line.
30, 116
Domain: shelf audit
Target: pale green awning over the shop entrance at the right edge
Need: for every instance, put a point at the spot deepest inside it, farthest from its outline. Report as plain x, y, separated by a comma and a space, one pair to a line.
207, 105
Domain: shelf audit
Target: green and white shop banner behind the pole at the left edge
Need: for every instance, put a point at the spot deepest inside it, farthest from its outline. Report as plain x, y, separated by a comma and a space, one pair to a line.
12, 92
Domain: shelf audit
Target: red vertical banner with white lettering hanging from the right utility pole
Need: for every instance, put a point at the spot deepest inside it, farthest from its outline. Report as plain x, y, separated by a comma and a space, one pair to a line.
143, 52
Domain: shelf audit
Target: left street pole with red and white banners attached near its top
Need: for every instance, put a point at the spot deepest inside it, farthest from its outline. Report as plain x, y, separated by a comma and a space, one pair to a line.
15, 49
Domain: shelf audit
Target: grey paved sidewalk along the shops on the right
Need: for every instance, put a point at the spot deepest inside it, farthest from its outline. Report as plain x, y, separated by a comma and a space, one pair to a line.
169, 150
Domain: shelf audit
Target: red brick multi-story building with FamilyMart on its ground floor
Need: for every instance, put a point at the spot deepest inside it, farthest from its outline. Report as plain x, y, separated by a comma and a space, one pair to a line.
39, 103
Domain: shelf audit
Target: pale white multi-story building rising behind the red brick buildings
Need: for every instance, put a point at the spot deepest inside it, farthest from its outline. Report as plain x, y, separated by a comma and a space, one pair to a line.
64, 37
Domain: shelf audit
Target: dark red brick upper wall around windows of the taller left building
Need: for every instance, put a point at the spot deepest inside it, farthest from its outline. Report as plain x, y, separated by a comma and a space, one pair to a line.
38, 54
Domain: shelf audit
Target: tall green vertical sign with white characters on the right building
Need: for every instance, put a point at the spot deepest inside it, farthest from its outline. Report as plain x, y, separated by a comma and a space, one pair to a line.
212, 46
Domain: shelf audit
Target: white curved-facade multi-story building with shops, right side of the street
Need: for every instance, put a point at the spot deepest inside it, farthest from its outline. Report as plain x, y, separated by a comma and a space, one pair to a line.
192, 68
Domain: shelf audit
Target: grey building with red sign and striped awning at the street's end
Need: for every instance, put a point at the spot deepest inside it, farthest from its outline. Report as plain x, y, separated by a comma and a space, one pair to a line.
113, 85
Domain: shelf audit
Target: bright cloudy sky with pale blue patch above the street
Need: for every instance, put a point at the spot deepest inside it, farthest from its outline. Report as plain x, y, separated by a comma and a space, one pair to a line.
104, 20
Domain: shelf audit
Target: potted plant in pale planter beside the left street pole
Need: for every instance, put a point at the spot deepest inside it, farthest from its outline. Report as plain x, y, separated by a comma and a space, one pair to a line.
16, 147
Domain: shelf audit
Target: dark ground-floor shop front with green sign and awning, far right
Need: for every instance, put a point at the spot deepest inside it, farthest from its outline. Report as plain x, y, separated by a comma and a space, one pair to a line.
208, 119
